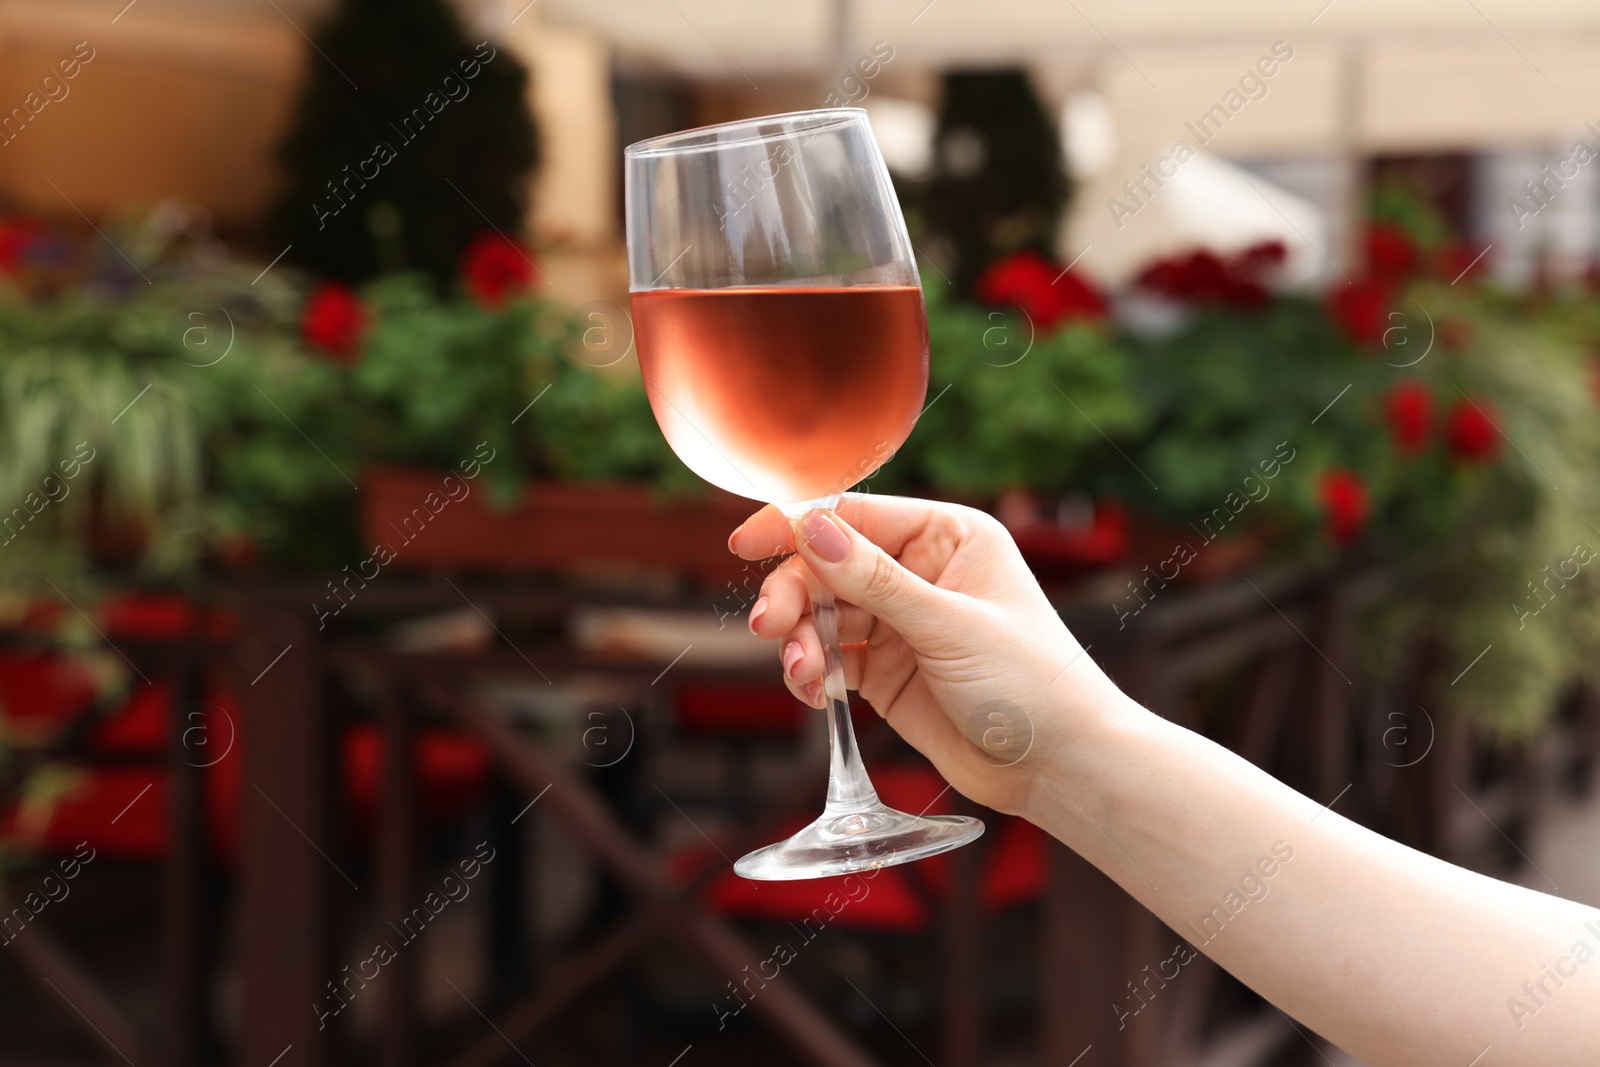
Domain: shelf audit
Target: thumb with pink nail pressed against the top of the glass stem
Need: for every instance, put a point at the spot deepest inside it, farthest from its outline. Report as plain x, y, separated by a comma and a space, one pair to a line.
868, 577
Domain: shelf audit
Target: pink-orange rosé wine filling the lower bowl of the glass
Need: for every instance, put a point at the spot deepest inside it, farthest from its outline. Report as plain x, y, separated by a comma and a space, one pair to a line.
785, 394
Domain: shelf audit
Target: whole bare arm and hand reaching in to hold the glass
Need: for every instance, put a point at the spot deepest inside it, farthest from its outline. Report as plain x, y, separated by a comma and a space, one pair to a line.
1391, 954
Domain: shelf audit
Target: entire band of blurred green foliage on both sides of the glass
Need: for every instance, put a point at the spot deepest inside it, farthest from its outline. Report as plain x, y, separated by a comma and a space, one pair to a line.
217, 428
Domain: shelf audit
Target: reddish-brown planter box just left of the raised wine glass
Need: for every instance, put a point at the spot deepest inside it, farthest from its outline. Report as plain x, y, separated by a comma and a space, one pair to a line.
554, 527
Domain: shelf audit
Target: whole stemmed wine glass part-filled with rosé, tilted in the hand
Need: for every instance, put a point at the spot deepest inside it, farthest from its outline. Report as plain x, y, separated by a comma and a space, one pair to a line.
785, 348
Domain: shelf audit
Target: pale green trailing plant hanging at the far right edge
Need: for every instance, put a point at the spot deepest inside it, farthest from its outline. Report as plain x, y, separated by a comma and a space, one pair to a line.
1476, 549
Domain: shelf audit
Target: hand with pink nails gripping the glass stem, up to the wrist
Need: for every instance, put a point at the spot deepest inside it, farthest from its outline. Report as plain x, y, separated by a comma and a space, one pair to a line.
943, 631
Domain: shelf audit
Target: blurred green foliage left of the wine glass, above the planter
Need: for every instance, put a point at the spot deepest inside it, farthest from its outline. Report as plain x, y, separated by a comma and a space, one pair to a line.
217, 431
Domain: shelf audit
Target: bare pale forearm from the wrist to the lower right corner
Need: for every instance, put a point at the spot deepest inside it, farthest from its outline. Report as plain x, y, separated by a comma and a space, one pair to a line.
1394, 956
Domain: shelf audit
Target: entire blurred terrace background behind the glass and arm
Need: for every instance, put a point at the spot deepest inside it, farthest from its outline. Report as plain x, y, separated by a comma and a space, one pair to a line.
377, 687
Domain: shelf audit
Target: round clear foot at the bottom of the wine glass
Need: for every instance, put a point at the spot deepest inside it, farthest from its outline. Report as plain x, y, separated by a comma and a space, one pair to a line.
846, 842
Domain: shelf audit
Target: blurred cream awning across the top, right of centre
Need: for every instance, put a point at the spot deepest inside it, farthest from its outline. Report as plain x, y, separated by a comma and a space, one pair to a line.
1423, 74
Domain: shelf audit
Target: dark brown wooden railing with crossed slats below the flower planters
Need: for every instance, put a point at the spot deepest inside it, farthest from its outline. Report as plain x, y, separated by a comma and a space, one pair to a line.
1262, 665
